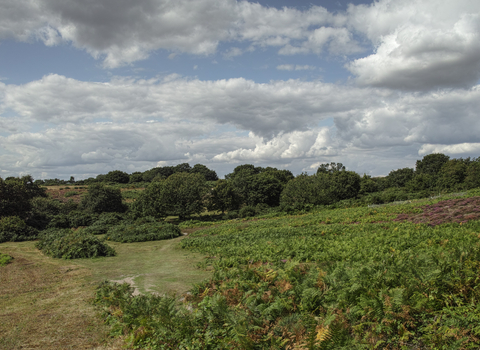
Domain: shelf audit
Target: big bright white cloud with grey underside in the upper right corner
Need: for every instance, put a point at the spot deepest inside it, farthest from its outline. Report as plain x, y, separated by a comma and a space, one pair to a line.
418, 45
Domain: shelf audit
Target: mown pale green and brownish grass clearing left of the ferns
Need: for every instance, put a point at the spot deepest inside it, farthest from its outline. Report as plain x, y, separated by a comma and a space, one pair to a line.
45, 303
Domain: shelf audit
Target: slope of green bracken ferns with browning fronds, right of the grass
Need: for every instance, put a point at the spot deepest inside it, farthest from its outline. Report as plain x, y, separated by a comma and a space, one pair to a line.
343, 279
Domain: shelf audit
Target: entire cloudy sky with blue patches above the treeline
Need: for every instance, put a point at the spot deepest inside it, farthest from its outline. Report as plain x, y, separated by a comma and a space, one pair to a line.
91, 86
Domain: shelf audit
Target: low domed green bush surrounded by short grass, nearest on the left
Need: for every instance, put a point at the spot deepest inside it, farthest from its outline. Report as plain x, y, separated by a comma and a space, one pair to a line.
67, 244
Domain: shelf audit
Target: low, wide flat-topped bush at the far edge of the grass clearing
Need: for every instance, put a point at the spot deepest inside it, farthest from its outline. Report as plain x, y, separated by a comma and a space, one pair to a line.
135, 232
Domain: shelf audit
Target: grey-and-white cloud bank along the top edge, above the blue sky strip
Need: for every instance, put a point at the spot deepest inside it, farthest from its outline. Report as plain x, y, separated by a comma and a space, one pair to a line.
122, 32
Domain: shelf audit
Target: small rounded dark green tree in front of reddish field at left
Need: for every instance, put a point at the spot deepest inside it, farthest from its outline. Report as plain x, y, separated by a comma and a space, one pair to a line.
101, 198
